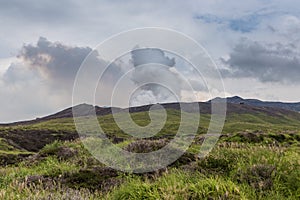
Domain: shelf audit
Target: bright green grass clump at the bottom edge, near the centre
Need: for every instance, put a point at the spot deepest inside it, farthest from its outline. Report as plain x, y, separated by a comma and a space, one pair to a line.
178, 184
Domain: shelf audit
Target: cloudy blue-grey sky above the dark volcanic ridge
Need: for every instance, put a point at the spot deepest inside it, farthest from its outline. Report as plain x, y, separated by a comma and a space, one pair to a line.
254, 43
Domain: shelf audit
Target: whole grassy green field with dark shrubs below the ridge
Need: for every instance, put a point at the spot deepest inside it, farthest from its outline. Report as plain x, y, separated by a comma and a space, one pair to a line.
257, 157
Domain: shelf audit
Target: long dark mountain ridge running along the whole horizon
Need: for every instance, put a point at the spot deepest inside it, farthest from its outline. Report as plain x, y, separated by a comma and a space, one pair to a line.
235, 105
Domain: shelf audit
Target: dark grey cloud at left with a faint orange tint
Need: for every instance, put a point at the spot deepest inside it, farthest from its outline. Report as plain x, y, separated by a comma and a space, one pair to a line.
56, 60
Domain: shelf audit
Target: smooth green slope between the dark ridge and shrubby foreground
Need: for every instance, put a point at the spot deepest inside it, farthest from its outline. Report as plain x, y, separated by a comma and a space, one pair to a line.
33, 135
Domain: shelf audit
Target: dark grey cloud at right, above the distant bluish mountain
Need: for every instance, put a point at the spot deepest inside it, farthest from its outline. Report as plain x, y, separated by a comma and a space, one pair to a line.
274, 62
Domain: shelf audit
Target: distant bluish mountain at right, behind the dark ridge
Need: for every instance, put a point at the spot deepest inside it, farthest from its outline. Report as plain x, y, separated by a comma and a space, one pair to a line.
259, 103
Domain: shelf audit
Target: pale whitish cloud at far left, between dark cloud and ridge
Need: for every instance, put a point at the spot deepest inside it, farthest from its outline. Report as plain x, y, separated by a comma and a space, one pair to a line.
26, 95
